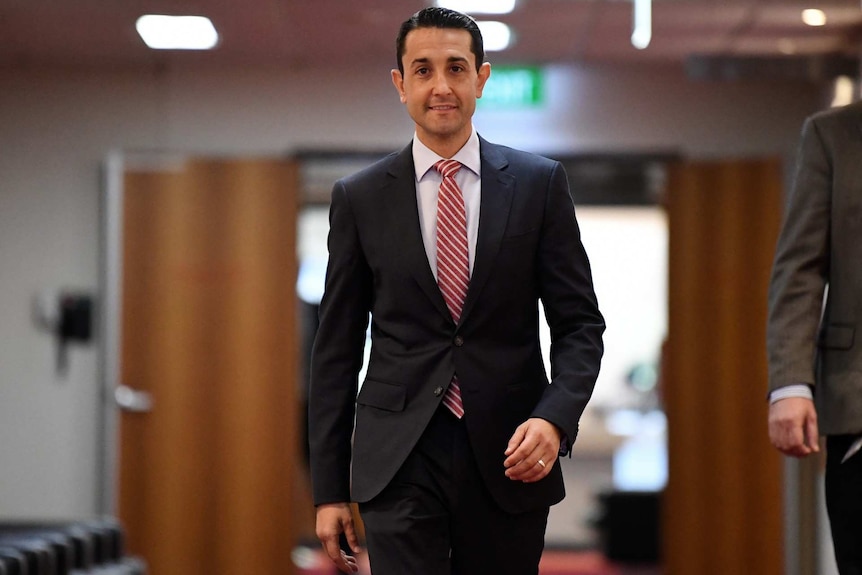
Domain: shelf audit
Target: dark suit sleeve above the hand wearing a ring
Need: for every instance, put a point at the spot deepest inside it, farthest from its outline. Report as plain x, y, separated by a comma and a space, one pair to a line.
571, 310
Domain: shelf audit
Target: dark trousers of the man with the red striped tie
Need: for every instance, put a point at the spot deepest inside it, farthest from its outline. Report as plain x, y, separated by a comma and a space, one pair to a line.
437, 518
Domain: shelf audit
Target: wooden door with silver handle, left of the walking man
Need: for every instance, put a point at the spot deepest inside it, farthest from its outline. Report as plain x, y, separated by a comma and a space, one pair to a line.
206, 477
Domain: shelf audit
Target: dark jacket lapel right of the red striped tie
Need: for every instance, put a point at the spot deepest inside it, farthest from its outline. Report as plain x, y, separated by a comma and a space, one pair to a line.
498, 189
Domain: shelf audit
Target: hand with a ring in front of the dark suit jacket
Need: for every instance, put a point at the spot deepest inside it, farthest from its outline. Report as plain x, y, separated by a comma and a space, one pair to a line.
532, 451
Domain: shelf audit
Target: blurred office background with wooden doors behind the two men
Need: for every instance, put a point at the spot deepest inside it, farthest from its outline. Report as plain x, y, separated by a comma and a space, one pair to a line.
162, 241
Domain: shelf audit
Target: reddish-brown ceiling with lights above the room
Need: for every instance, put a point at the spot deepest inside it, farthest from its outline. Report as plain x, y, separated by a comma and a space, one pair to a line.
308, 33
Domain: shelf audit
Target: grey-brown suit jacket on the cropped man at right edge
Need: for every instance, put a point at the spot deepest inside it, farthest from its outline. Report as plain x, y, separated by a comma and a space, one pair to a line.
811, 331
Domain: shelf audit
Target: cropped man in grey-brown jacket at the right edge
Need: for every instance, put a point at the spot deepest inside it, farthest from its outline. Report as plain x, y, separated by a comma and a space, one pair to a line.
815, 366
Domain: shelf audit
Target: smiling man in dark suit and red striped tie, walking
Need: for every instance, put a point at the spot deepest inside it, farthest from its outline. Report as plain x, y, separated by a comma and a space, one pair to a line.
450, 446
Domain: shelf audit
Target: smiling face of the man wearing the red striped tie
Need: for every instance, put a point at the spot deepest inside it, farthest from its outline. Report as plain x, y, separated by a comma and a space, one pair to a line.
440, 85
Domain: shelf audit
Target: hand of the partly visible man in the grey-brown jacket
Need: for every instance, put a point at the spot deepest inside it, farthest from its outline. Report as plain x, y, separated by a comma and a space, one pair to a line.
793, 426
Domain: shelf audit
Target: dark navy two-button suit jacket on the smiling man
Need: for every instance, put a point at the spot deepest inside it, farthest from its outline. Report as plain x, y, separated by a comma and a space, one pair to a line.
528, 248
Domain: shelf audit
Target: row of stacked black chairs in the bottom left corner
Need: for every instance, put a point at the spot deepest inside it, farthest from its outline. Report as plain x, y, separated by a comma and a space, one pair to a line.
66, 548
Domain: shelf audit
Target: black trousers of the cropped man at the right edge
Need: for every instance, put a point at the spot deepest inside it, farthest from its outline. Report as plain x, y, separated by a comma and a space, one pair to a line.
844, 503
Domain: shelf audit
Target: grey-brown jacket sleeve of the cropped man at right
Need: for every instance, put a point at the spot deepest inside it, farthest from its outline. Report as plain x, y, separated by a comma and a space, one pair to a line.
801, 268
